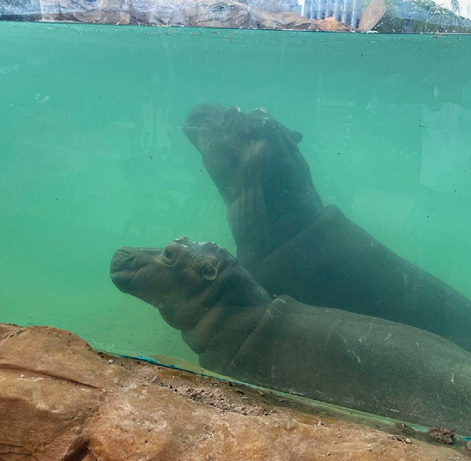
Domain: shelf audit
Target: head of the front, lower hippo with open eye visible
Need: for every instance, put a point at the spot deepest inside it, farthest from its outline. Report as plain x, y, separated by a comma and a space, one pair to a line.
179, 279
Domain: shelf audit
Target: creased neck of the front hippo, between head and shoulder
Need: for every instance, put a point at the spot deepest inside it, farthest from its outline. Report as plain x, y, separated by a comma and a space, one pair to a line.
234, 302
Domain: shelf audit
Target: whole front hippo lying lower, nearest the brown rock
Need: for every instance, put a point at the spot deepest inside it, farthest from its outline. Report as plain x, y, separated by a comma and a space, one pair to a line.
353, 360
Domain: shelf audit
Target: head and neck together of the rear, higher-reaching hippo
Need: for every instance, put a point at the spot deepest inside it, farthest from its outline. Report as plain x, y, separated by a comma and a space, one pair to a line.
255, 163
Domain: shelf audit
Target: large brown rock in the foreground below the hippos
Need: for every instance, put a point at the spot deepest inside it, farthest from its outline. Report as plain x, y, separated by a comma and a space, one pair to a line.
61, 400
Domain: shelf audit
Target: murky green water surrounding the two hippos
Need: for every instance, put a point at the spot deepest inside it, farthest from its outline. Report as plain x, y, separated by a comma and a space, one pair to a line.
92, 155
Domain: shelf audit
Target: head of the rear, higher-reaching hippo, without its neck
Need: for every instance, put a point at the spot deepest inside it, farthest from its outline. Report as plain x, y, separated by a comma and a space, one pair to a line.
237, 147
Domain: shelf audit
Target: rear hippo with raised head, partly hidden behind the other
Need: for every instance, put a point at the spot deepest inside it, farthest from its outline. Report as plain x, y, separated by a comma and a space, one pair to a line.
294, 246
